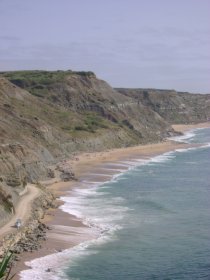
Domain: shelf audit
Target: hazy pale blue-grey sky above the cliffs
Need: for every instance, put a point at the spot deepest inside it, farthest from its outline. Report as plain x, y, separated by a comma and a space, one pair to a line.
129, 43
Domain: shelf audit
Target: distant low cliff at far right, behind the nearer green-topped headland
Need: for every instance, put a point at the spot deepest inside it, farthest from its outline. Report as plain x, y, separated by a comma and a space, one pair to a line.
174, 107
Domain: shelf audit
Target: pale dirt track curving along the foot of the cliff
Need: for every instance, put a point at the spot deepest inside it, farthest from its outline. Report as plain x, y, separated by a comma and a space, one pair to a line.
22, 210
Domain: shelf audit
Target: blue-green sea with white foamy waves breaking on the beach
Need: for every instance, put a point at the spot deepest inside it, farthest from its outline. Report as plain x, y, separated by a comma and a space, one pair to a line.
153, 220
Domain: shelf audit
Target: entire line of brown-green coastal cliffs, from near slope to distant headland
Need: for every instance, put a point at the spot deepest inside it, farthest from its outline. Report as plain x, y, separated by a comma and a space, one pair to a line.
47, 116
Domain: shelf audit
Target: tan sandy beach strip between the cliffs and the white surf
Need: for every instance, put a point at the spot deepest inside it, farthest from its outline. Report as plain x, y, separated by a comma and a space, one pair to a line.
83, 165
